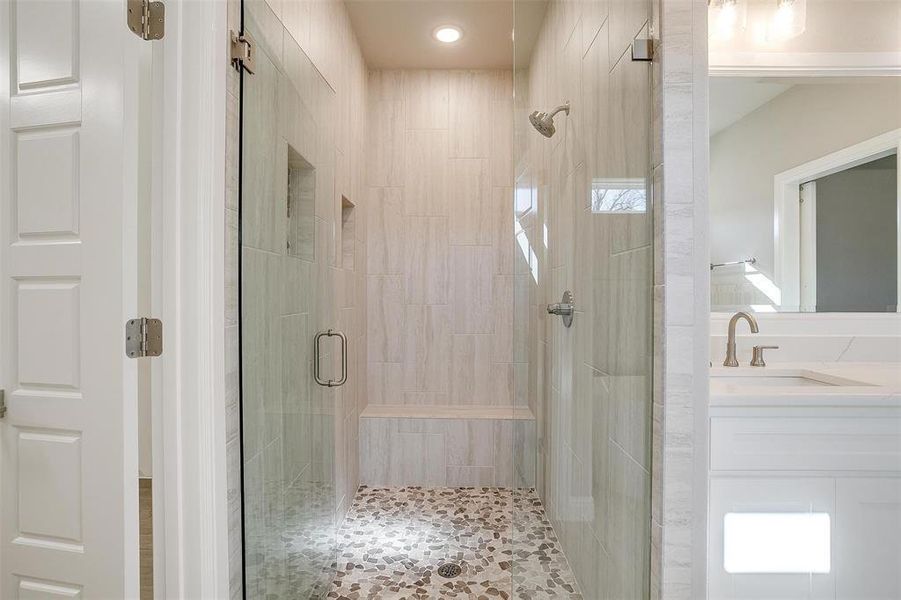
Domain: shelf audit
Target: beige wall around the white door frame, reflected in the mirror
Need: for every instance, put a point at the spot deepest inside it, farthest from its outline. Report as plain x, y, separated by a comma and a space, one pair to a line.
803, 124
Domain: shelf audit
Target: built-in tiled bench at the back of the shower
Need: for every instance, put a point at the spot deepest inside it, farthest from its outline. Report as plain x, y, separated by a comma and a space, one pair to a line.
440, 445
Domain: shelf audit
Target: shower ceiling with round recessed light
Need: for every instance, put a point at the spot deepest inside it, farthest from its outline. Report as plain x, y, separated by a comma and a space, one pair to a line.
398, 33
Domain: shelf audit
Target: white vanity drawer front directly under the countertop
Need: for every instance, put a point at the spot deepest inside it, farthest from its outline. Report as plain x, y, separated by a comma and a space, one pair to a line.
805, 444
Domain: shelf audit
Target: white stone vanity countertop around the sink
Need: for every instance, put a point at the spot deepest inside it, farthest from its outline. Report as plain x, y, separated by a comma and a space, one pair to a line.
845, 385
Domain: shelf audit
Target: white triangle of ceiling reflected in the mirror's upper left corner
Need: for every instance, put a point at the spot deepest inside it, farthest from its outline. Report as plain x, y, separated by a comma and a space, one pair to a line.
733, 98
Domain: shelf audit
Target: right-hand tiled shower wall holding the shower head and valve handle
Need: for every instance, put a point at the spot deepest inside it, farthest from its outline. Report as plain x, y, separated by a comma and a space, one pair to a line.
591, 383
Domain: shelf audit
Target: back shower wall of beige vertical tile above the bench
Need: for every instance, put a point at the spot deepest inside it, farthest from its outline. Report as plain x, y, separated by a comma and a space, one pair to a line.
440, 253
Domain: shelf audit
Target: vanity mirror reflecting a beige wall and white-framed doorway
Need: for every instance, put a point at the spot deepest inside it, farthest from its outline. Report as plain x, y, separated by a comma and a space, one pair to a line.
804, 194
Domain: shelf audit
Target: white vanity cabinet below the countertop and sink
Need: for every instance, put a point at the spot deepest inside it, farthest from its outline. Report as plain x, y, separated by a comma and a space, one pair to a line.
797, 461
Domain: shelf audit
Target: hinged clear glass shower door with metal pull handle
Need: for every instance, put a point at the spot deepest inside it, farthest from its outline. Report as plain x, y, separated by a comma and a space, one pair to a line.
287, 243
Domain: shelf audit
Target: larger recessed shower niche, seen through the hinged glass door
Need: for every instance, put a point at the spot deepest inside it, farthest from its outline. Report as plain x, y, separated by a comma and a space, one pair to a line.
300, 206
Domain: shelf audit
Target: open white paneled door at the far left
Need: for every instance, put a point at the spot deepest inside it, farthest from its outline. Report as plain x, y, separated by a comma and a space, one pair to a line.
69, 257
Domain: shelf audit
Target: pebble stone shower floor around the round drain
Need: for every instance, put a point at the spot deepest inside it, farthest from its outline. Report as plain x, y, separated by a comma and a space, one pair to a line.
394, 540
